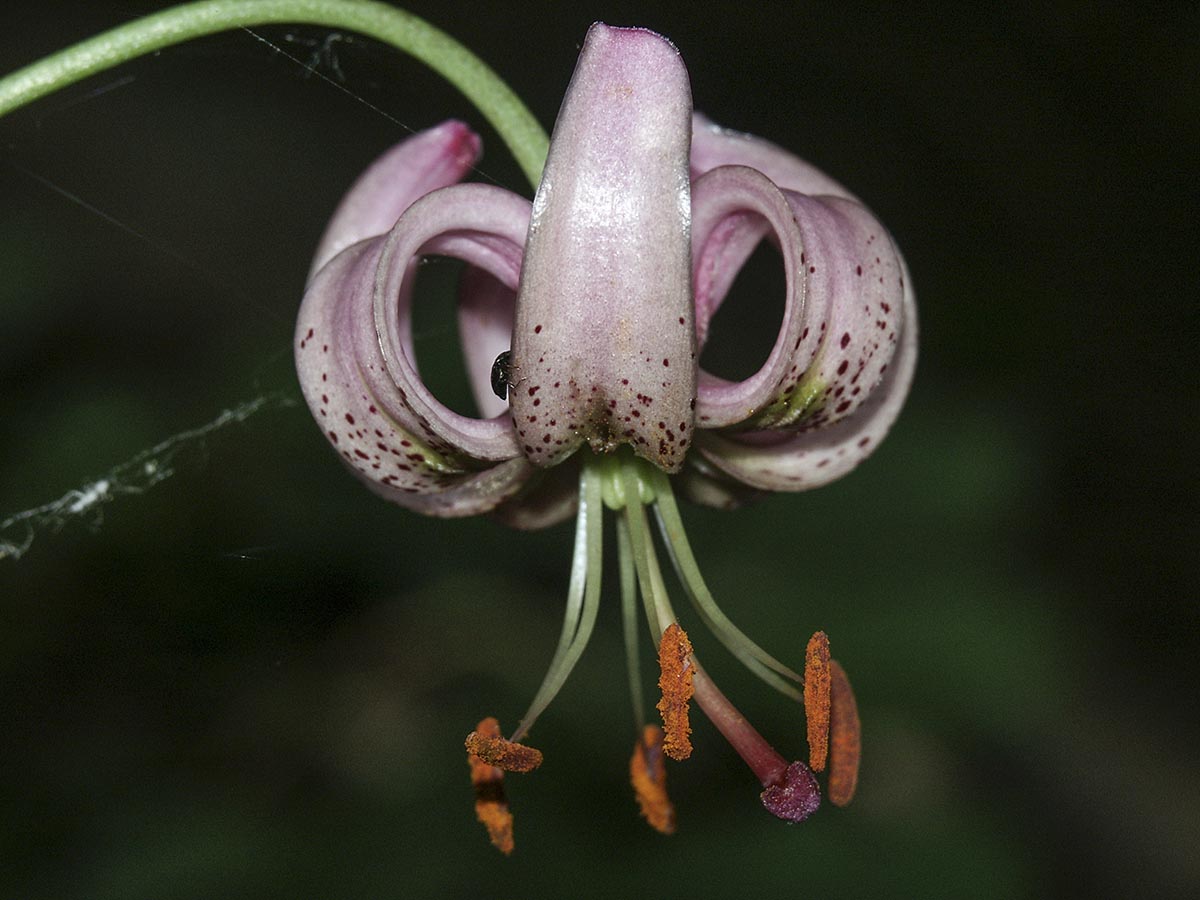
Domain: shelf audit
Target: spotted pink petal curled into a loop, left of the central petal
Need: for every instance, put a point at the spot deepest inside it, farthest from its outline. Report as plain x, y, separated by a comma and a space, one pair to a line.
357, 370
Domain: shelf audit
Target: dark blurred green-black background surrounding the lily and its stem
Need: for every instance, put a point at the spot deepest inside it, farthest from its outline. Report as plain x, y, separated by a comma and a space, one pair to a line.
255, 679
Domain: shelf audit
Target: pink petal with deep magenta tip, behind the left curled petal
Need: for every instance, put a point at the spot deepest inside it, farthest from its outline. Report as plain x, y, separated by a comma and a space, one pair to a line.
429, 160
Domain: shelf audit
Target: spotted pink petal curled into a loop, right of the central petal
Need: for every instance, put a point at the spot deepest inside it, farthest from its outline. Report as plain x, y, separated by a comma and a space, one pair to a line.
843, 313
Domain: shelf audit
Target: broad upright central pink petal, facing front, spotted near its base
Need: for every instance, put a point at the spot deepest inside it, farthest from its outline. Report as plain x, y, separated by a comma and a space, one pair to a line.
604, 345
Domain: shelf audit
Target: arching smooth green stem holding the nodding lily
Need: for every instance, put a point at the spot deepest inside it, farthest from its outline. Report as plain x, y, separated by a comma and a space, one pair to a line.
497, 103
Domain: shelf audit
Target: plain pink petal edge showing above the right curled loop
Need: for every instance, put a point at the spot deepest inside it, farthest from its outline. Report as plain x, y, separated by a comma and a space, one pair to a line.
713, 146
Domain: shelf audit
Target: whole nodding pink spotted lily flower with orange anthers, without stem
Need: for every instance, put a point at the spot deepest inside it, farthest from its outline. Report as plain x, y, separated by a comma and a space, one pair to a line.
583, 316
